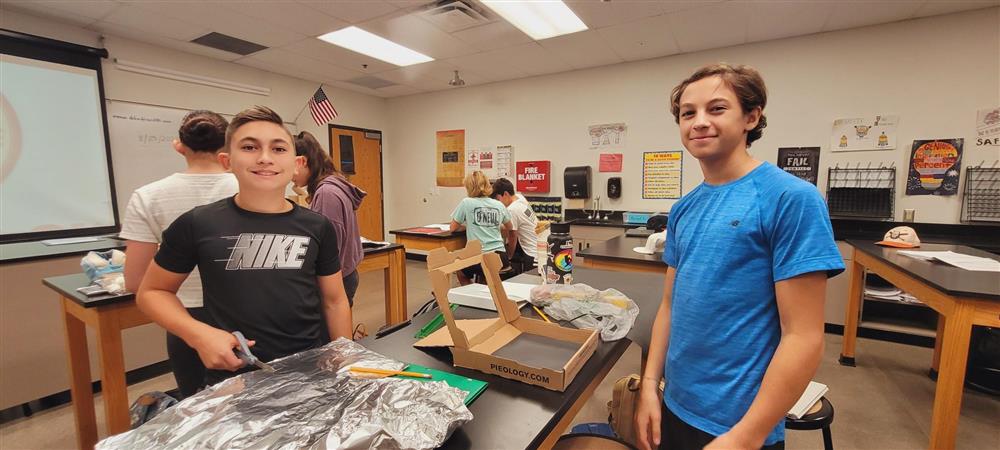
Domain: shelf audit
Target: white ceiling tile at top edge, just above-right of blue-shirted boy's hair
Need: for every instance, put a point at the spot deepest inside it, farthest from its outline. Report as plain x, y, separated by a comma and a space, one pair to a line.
775, 19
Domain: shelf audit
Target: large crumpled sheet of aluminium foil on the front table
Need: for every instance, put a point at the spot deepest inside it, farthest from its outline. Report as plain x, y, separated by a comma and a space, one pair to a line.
312, 401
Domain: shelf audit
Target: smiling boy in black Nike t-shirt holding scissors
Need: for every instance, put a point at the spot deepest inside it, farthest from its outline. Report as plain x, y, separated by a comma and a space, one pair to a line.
270, 268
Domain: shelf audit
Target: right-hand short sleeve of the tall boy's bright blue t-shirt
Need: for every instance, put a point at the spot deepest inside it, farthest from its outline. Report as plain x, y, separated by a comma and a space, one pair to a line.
802, 237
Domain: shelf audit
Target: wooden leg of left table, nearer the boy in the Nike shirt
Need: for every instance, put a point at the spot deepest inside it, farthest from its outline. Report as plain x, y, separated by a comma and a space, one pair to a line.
113, 388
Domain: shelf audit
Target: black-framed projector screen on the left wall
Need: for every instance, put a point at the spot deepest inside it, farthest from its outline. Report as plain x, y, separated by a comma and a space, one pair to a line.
55, 167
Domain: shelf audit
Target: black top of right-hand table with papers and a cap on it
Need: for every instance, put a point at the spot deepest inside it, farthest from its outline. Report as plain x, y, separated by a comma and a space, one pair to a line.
946, 278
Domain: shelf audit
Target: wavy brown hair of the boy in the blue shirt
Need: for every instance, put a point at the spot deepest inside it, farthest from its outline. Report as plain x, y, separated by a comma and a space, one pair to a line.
745, 81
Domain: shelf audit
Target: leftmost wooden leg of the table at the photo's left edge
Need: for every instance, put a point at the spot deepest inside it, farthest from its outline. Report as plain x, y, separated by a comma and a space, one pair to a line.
79, 376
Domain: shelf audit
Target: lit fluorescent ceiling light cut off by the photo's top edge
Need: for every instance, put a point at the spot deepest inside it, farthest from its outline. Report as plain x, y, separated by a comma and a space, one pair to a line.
538, 19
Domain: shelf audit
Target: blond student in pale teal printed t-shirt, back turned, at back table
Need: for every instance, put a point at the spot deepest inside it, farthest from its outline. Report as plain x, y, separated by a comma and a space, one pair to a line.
484, 219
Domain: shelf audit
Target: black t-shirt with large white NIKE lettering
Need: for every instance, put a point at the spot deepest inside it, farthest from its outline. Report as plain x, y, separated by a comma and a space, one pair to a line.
258, 270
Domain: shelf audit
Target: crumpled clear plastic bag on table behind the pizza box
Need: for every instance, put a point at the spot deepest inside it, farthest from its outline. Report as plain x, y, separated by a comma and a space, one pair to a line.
608, 311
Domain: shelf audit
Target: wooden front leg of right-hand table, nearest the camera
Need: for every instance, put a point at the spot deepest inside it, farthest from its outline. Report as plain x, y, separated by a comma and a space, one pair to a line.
951, 378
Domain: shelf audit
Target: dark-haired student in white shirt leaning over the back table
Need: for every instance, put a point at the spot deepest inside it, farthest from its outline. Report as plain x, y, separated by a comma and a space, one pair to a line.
522, 241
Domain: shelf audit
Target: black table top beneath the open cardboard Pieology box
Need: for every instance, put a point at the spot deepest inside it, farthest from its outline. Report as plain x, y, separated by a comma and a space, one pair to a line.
509, 414
